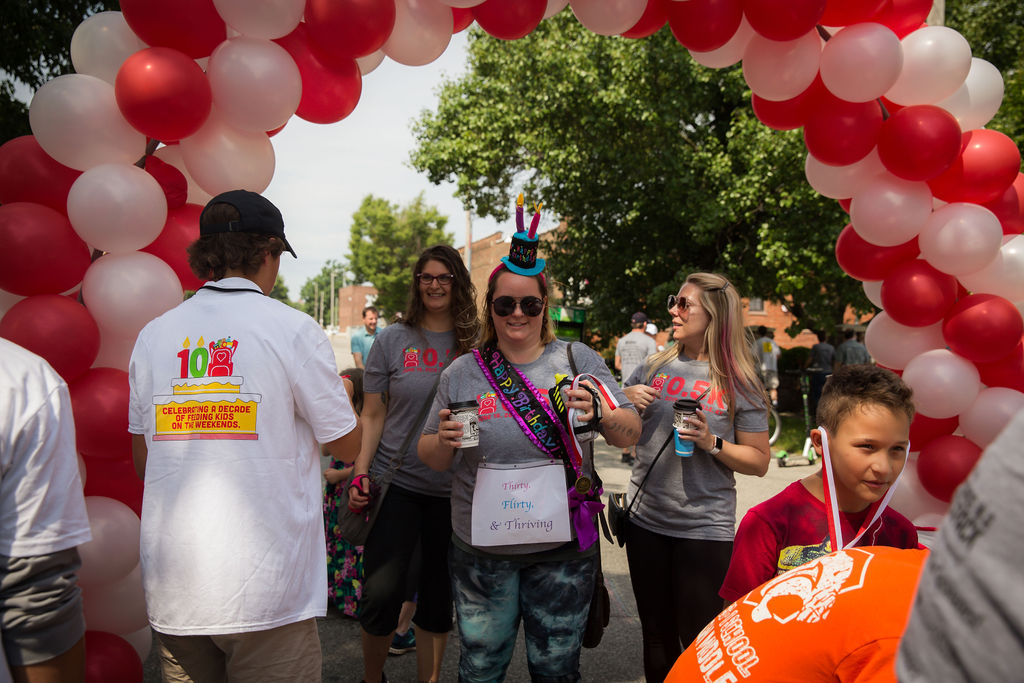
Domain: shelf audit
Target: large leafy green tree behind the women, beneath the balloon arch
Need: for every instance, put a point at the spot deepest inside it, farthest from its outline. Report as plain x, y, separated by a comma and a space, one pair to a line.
658, 163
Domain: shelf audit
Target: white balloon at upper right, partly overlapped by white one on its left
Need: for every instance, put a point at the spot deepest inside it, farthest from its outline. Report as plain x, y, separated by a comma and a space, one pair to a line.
936, 61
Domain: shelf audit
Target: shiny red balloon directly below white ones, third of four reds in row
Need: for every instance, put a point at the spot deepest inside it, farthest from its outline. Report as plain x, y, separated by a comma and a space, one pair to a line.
919, 143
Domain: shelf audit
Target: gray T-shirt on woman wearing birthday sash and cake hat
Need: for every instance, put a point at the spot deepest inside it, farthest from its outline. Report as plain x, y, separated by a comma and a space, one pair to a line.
502, 442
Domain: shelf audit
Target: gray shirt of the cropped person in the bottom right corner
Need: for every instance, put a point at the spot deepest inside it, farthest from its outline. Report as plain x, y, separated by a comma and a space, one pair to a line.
967, 623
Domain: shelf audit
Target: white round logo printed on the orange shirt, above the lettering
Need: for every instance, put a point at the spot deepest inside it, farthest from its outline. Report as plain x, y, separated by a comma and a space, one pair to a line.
808, 593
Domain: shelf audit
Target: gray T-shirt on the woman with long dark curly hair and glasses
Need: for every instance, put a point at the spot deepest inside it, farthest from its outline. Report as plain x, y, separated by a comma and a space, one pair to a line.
404, 363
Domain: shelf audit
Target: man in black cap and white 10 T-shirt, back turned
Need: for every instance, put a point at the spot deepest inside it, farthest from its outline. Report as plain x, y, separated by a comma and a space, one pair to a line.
231, 392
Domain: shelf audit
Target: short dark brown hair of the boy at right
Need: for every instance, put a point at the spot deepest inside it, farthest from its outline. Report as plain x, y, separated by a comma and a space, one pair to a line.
851, 388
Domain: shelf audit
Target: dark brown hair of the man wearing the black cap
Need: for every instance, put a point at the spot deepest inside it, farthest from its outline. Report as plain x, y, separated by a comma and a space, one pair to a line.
212, 257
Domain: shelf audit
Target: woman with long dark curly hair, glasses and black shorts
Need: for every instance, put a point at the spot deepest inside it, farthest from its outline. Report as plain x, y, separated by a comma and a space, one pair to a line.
400, 381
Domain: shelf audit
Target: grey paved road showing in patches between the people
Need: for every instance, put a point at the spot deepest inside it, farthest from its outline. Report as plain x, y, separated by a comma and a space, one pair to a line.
618, 660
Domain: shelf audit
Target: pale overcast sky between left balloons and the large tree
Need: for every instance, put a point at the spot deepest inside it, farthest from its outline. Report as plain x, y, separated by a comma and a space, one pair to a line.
323, 173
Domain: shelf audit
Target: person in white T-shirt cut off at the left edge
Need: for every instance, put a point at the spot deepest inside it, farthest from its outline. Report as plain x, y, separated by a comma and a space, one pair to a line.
42, 523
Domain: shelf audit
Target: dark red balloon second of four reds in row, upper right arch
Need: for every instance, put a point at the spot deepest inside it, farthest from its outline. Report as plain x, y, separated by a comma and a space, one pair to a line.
840, 134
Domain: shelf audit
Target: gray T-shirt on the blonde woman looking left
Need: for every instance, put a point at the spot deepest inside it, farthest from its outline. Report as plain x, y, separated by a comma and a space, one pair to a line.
695, 497
